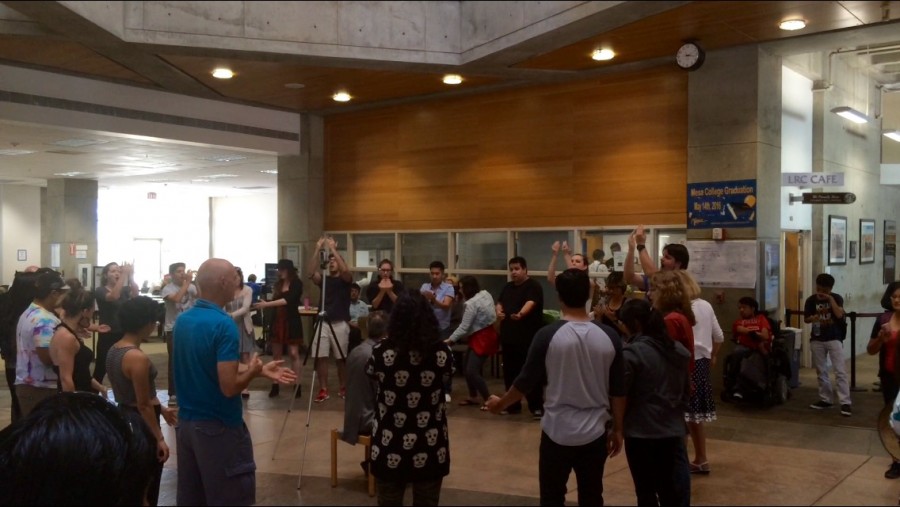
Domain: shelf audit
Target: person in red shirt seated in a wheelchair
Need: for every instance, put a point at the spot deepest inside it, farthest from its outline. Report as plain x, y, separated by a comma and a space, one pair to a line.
753, 334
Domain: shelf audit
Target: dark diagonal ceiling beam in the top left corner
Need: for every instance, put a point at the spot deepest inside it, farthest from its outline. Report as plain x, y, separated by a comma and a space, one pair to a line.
57, 18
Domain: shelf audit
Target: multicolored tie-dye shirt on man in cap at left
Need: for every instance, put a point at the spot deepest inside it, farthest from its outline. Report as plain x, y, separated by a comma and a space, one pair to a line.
35, 329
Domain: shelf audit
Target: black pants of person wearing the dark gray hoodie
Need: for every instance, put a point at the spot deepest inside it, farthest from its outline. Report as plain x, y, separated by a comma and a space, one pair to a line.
660, 470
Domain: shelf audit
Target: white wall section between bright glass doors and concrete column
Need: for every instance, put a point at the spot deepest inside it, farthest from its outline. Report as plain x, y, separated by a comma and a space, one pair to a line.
245, 232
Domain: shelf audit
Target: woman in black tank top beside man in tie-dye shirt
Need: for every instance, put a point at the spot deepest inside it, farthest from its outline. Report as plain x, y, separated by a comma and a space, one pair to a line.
71, 358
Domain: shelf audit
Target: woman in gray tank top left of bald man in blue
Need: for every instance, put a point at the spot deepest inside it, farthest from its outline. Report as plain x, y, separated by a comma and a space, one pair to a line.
133, 377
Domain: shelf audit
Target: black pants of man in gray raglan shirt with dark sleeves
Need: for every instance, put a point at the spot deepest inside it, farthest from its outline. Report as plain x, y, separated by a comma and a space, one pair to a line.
556, 463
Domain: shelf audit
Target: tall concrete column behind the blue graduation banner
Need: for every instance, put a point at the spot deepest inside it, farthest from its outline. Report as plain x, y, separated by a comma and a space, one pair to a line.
734, 133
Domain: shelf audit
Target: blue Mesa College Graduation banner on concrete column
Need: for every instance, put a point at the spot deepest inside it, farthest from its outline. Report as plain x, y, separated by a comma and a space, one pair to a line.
722, 204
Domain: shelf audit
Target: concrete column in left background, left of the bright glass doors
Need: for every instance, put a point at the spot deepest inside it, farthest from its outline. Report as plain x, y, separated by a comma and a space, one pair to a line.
69, 216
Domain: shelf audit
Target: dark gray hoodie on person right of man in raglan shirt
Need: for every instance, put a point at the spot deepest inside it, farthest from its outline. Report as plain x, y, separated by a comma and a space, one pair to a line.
657, 386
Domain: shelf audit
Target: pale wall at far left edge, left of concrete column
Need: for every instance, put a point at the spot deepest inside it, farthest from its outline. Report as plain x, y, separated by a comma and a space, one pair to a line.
20, 228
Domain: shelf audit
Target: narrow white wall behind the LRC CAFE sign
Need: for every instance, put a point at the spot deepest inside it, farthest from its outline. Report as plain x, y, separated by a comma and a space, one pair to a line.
796, 144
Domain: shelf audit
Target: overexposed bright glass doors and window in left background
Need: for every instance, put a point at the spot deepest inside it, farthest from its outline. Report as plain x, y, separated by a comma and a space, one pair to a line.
180, 219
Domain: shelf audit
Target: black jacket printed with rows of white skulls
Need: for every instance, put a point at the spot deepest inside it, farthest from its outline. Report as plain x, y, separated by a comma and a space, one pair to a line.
410, 441
